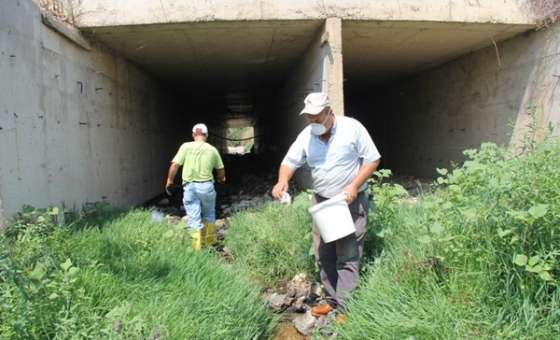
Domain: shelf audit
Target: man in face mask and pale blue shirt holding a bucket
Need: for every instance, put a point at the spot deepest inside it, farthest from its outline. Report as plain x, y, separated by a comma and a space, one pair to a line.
341, 156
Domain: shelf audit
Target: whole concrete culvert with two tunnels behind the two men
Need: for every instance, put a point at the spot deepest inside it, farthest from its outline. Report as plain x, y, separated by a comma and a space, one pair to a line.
100, 120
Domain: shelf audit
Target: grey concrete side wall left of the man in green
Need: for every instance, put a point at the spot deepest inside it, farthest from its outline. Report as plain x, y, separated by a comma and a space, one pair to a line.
75, 126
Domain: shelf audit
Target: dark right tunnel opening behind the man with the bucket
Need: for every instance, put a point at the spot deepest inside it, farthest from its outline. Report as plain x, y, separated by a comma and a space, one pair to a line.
415, 89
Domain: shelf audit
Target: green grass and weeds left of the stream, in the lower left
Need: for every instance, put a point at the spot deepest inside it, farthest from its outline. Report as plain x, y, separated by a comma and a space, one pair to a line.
116, 275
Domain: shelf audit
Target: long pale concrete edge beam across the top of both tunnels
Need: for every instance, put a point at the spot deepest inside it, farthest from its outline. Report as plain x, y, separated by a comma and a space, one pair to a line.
98, 13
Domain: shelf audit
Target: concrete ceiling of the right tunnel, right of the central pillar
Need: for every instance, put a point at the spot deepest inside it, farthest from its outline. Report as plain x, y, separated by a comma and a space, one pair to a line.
377, 51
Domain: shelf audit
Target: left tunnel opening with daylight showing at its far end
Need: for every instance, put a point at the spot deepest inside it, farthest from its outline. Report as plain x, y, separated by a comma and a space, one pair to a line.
233, 76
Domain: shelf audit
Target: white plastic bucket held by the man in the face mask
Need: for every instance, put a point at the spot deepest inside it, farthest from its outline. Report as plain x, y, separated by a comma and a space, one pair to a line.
333, 219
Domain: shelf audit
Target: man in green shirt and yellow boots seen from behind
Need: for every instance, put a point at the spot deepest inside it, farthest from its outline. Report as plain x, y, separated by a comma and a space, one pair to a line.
198, 159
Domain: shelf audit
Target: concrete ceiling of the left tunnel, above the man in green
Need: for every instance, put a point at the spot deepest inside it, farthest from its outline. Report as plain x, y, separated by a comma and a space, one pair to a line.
213, 56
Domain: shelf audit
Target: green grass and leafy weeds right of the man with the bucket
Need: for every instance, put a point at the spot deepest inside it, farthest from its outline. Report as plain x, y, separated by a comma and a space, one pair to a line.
477, 258
